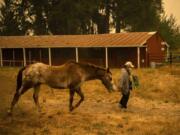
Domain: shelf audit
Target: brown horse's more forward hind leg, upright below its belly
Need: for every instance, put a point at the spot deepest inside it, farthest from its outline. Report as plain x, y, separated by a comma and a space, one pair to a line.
36, 96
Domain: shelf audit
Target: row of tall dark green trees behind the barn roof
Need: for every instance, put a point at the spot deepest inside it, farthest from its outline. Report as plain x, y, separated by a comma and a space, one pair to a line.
44, 17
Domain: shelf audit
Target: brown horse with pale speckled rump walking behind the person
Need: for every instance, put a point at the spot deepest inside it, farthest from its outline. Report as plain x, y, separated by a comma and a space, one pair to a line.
70, 75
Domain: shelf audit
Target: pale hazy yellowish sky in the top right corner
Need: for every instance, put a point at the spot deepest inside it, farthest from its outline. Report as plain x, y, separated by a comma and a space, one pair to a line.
173, 7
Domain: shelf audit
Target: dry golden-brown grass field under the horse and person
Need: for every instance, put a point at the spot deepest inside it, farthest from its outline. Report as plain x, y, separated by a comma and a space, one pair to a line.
153, 109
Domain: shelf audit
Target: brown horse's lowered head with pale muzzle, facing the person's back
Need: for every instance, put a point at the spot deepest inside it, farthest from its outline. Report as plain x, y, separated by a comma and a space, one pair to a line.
106, 78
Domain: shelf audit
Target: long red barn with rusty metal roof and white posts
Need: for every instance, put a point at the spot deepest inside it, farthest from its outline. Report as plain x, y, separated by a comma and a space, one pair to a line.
112, 50
